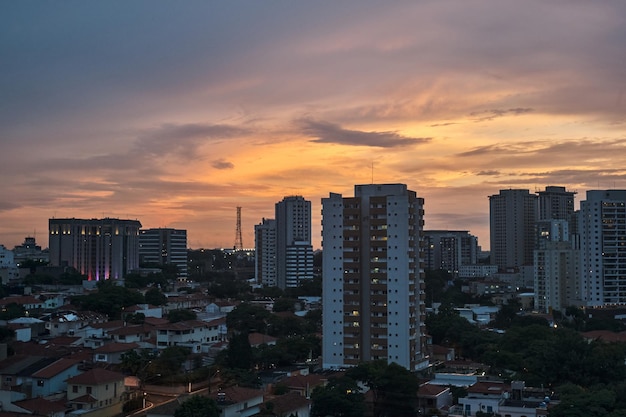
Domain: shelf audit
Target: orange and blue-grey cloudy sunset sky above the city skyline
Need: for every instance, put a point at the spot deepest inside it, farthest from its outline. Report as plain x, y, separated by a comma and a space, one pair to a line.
177, 113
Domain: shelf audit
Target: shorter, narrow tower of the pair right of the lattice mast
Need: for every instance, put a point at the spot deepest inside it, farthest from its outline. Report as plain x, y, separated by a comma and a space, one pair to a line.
265, 252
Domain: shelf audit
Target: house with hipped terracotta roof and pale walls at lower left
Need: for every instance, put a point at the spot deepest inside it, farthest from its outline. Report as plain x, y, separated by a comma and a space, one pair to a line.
97, 393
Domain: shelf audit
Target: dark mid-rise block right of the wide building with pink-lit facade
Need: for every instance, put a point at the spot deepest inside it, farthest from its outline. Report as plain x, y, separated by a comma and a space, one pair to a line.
164, 246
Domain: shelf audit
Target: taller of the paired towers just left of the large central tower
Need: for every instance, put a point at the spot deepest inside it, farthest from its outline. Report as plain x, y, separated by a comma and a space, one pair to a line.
294, 251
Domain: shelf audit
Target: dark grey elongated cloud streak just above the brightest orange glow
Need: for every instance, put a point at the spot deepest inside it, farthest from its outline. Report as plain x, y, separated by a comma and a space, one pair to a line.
326, 132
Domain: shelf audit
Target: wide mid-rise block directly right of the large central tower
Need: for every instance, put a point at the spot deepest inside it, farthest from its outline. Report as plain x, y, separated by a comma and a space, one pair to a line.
449, 250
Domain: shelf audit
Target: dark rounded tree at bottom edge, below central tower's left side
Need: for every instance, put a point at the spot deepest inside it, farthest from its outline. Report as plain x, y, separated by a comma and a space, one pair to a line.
341, 397
